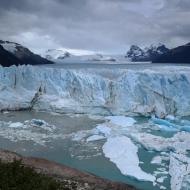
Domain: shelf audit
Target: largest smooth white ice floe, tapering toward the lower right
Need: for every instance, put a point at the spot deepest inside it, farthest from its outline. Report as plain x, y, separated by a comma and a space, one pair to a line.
123, 152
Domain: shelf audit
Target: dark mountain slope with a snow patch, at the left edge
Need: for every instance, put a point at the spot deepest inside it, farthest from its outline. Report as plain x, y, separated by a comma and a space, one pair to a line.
14, 54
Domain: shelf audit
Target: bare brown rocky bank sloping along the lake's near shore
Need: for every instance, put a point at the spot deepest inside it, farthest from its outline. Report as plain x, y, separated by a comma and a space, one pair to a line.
63, 173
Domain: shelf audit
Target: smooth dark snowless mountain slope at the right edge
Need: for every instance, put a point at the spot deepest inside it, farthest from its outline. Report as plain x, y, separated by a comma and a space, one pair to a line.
180, 54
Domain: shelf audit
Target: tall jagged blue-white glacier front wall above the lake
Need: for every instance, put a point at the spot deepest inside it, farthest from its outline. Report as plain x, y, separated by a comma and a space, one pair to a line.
160, 92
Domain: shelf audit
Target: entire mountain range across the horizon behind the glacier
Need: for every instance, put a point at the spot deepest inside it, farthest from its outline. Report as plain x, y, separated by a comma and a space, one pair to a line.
15, 54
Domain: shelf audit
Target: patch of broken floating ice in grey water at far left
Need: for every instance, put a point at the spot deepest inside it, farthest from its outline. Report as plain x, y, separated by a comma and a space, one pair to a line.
28, 131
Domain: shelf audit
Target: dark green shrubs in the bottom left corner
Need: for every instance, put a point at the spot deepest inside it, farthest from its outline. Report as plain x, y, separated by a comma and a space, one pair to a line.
15, 176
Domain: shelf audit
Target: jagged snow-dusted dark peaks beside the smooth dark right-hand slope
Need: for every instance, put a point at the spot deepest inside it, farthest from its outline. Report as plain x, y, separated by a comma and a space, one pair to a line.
136, 53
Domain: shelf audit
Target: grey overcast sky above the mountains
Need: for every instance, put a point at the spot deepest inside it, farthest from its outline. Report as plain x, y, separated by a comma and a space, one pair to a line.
95, 25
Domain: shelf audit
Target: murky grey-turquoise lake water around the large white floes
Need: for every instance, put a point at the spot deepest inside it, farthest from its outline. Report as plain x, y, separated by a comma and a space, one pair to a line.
67, 143
